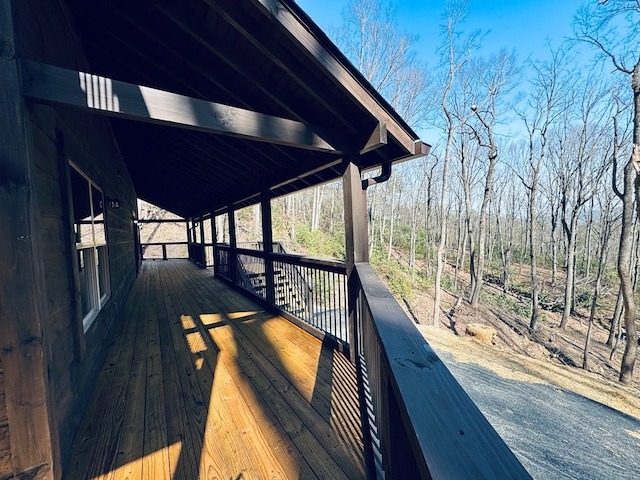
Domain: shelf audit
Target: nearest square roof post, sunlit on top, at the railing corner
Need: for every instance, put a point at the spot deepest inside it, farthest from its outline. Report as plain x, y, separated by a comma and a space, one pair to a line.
356, 239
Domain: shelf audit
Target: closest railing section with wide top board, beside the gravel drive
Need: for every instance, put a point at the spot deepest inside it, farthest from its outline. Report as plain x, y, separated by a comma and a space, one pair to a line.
426, 424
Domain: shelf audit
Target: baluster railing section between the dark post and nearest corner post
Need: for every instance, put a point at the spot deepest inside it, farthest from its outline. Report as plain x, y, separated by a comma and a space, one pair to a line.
309, 290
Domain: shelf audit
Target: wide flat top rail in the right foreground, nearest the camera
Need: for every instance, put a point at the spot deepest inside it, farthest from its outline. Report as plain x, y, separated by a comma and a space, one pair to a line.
450, 437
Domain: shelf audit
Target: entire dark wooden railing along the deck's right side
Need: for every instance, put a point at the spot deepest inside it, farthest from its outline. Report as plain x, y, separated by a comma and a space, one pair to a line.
423, 424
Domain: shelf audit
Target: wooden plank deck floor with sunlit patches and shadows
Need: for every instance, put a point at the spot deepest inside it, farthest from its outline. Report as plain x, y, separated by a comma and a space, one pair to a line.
202, 383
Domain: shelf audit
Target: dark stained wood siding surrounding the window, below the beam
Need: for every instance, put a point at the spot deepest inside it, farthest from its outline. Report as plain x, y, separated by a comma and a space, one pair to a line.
89, 144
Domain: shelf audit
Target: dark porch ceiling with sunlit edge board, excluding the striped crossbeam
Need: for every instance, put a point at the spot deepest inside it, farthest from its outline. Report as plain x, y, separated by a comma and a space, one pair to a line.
265, 56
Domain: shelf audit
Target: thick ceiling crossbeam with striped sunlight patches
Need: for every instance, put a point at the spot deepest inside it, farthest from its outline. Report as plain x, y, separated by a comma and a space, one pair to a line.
54, 85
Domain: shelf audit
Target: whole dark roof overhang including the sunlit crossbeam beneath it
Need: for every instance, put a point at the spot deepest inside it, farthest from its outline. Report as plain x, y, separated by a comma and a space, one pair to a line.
214, 102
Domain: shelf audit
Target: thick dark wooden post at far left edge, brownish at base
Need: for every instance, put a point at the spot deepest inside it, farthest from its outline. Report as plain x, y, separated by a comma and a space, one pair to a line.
24, 351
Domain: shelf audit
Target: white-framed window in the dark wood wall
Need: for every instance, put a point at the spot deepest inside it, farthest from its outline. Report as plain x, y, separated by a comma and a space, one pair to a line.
91, 245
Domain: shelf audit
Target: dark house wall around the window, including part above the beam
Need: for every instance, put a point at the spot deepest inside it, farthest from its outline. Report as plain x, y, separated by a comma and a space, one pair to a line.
59, 135
